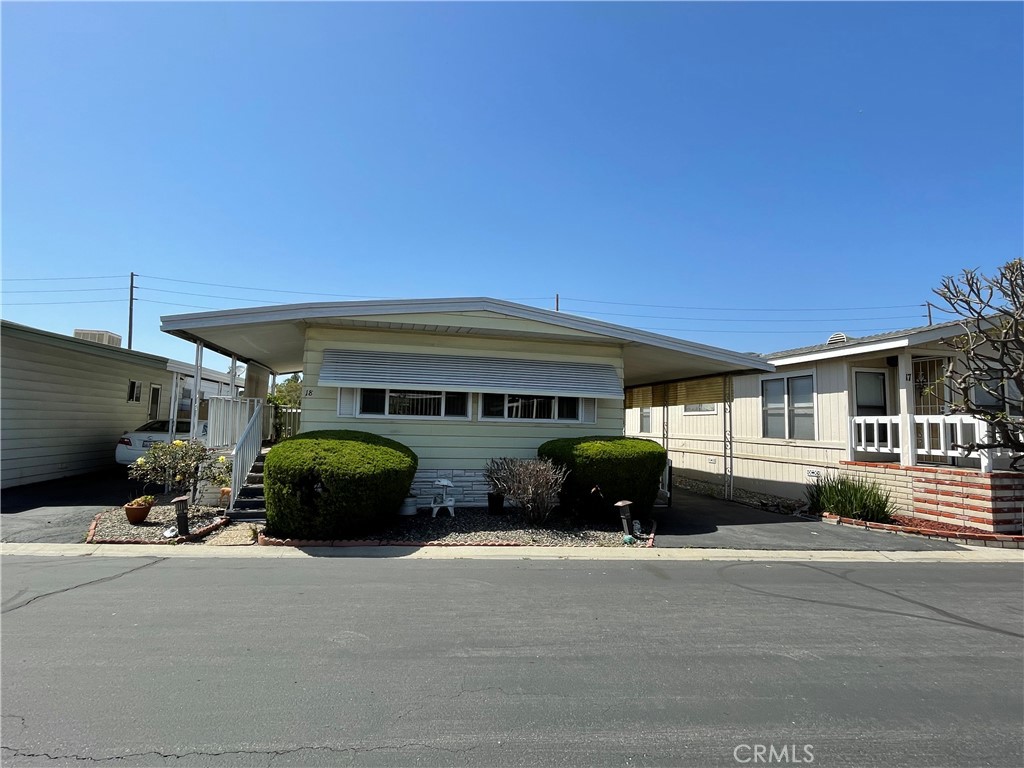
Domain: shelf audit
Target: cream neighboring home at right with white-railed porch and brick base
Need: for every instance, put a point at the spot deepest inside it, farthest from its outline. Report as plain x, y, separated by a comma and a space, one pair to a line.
873, 407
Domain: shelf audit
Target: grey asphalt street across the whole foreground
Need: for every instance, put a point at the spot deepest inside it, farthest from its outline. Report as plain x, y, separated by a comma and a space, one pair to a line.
241, 662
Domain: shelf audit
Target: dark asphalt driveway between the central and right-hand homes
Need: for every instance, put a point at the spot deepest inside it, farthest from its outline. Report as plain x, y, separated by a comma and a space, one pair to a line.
703, 523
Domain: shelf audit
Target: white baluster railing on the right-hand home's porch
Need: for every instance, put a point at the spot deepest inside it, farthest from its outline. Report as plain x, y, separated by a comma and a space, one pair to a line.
930, 436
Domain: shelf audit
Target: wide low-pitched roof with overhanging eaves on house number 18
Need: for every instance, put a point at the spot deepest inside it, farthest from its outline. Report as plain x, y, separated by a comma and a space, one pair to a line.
275, 336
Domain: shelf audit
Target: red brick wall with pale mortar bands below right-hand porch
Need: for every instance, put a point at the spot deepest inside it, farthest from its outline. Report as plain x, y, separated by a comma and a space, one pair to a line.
989, 501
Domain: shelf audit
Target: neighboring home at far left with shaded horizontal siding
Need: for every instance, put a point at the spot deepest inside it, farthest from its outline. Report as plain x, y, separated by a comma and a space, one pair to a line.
65, 402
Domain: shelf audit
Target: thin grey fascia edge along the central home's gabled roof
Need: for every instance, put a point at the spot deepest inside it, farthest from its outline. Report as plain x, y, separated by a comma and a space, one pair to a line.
180, 325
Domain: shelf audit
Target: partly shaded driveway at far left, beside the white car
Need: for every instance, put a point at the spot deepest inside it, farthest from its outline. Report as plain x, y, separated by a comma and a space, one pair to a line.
60, 511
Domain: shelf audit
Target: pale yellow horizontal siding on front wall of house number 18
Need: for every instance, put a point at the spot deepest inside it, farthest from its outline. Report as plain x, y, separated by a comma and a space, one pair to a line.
452, 444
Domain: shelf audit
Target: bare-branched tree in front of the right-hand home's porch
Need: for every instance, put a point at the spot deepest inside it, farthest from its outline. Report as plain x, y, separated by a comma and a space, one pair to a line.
988, 378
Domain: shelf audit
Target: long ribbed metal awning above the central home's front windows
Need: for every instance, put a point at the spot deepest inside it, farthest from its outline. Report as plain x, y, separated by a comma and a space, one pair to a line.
376, 370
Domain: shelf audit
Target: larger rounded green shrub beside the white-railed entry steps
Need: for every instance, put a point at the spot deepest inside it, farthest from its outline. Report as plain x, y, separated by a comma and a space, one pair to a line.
335, 484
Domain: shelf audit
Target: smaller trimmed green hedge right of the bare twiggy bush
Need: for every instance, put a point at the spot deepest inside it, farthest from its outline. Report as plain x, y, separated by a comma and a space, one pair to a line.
622, 467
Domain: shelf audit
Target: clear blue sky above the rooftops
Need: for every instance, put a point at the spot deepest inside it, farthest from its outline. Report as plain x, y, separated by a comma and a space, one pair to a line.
753, 177
